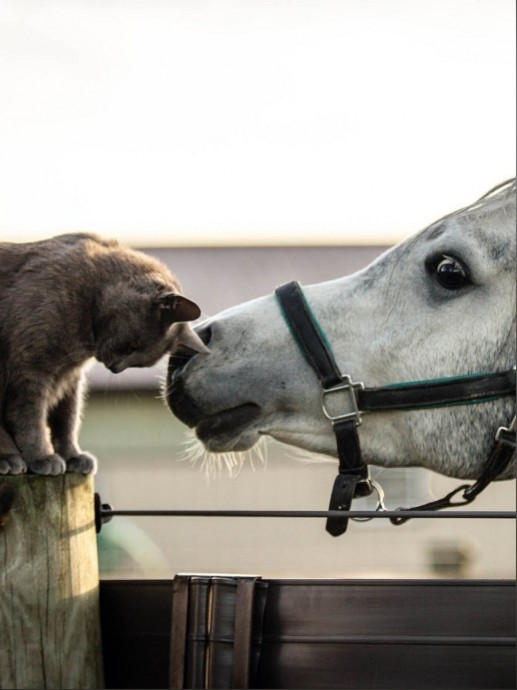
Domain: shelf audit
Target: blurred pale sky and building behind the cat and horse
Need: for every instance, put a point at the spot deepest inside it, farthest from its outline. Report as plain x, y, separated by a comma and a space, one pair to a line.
245, 144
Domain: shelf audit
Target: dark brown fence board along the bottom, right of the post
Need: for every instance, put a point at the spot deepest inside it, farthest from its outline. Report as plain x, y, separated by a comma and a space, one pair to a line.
246, 632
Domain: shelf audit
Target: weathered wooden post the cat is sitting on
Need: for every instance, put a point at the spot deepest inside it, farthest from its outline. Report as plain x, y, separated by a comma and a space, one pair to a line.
49, 584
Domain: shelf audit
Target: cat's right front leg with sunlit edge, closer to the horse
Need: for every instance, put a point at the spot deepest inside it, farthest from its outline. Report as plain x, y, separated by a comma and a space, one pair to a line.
63, 420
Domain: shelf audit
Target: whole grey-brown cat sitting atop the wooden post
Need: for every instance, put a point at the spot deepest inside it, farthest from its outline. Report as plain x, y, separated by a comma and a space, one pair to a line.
63, 301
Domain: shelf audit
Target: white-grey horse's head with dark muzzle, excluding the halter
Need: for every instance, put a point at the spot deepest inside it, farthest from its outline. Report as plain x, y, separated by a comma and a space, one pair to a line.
440, 304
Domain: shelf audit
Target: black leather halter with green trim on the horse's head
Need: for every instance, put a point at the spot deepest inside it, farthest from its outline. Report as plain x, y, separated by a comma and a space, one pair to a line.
353, 480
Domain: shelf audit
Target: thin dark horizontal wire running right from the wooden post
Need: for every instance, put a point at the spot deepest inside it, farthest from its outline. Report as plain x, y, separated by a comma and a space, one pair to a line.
107, 513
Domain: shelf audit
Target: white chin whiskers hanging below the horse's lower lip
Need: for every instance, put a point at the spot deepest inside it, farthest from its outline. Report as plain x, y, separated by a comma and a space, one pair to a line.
213, 464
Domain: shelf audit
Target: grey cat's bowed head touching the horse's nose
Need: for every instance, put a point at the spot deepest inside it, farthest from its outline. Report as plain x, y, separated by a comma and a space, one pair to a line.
136, 328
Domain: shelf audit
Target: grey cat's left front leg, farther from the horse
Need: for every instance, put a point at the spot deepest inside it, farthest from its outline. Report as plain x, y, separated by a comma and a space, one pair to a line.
25, 413
